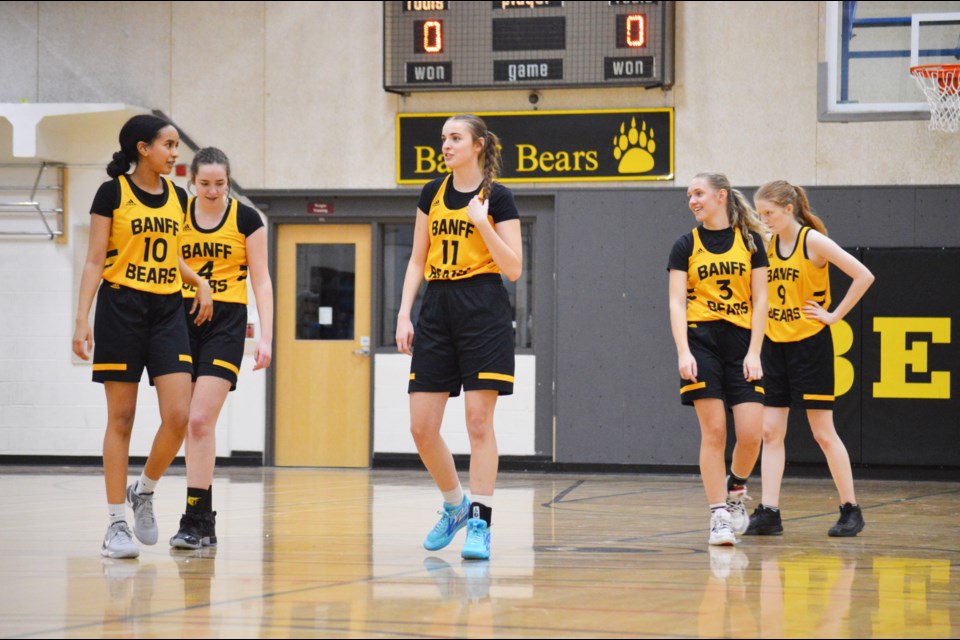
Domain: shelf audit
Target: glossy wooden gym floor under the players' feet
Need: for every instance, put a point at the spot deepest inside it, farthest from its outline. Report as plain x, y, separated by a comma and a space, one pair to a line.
307, 553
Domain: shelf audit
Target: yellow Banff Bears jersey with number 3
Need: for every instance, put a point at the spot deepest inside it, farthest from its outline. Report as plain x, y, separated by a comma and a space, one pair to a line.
718, 284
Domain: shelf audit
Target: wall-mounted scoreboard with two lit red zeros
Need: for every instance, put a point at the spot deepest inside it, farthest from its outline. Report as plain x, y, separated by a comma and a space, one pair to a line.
458, 45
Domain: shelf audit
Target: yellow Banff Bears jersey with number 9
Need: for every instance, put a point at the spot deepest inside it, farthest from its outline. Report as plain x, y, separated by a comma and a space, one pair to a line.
791, 281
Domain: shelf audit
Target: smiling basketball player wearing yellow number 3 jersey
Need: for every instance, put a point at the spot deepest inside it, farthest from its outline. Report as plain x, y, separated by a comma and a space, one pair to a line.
718, 311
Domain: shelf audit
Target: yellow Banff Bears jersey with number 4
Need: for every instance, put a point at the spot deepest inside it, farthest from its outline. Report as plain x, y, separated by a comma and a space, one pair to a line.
219, 255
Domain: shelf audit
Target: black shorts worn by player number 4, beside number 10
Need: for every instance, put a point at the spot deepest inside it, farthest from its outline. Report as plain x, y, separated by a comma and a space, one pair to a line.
217, 345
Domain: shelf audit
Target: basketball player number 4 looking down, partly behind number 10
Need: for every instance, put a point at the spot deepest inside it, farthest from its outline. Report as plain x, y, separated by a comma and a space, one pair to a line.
223, 241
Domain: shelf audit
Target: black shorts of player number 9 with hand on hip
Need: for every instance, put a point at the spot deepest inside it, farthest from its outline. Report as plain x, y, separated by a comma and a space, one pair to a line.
800, 373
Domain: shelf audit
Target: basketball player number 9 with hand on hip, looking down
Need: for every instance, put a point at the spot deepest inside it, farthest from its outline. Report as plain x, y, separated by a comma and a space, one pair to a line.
798, 349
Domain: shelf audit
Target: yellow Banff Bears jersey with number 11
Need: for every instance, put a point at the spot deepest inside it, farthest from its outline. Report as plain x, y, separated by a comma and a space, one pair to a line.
457, 249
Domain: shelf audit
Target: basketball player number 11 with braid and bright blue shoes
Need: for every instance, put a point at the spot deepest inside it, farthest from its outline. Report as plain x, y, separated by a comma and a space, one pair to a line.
467, 233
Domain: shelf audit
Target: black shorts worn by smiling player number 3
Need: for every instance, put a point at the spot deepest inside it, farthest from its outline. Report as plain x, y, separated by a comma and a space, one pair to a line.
719, 348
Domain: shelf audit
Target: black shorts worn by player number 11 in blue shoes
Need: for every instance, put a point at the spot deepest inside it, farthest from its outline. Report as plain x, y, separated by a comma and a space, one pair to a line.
464, 337
